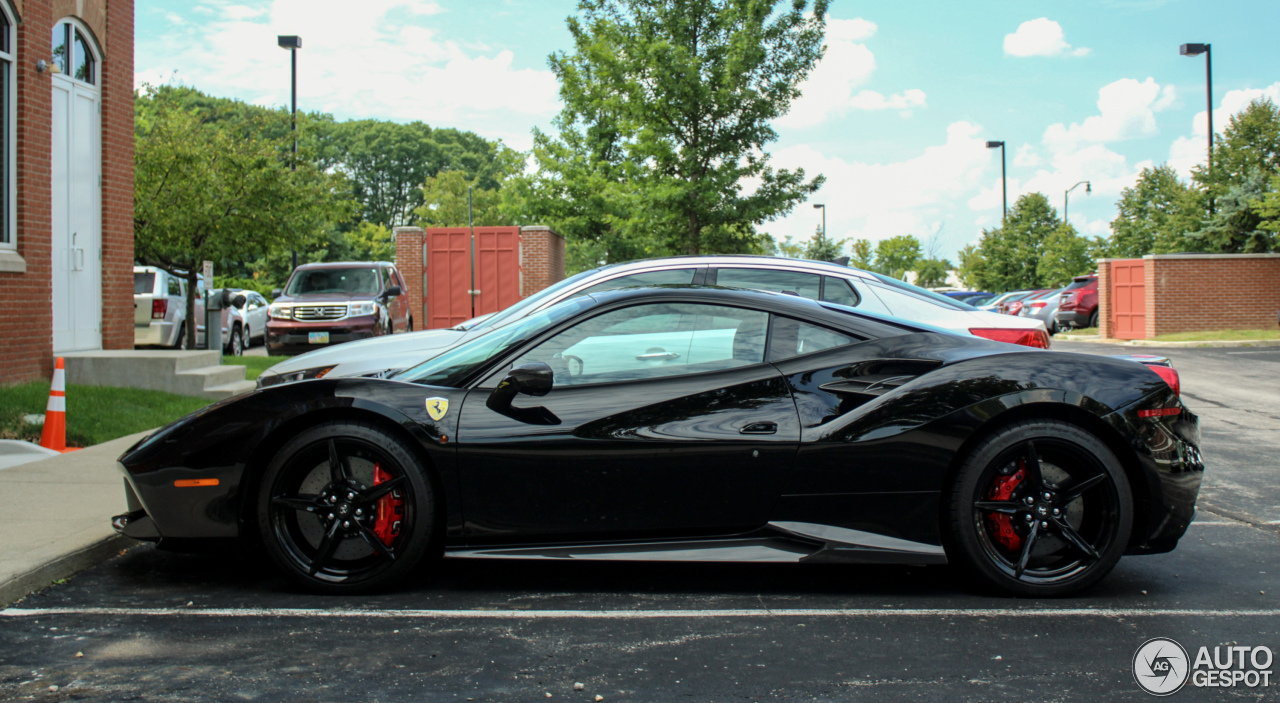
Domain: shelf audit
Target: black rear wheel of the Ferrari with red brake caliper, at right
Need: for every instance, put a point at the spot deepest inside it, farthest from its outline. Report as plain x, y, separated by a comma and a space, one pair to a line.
1069, 537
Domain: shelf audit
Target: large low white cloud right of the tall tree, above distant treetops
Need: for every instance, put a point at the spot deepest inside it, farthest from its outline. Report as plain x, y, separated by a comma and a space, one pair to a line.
876, 202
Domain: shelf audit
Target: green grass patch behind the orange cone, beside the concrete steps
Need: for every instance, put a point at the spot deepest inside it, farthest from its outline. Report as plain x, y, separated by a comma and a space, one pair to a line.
94, 414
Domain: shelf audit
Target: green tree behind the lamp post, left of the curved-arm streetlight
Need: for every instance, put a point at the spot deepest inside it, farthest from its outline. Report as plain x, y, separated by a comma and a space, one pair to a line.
1011, 254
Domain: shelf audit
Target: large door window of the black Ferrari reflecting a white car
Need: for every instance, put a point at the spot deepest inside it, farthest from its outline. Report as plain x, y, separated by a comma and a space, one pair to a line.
653, 341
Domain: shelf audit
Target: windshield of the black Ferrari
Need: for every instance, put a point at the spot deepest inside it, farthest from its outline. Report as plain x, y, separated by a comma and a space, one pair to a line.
452, 368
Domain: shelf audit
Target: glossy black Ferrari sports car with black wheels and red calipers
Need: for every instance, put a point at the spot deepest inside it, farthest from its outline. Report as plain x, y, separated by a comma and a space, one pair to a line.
693, 423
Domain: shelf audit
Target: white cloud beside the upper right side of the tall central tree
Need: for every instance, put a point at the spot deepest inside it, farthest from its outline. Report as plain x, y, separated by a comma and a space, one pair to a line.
829, 92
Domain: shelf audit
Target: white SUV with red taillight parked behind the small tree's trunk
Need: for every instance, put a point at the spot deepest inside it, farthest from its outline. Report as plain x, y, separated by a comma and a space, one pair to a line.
161, 311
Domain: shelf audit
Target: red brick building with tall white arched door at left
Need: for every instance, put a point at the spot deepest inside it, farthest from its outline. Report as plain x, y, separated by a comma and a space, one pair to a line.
66, 181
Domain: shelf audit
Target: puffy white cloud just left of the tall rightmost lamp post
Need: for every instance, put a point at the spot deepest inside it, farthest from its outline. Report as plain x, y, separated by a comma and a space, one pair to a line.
1127, 111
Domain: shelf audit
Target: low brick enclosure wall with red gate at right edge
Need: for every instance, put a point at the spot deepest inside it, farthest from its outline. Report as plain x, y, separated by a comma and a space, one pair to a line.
1168, 294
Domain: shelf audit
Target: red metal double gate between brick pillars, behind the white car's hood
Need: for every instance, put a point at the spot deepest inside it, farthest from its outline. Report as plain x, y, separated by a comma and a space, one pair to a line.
455, 290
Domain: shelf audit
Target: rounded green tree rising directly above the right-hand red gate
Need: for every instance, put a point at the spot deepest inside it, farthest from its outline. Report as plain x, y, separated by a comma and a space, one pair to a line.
1155, 214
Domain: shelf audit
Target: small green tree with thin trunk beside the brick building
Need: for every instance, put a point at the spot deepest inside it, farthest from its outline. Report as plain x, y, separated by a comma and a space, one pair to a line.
208, 193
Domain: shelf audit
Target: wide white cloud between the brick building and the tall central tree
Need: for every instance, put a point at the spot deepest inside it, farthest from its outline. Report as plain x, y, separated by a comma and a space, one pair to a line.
386, 62
